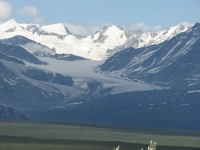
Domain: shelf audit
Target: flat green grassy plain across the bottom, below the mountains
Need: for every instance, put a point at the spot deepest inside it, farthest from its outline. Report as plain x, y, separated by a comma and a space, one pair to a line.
43, 136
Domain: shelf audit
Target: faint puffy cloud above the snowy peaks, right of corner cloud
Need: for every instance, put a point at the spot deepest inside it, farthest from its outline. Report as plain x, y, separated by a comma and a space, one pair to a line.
33, 12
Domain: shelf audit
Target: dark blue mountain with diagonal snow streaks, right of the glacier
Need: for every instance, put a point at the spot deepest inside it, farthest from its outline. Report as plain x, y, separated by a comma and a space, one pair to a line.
174, 63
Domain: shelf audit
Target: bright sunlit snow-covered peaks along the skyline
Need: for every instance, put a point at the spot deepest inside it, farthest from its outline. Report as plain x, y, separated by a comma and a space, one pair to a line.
98, 46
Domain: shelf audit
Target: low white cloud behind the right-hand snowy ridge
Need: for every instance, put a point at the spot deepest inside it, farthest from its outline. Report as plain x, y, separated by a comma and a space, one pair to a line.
143, 27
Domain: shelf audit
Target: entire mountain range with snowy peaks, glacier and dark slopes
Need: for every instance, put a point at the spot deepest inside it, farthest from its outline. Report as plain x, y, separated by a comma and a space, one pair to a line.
117, 77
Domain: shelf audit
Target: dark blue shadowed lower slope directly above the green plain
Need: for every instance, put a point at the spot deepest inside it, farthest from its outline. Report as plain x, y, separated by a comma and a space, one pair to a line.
174, 109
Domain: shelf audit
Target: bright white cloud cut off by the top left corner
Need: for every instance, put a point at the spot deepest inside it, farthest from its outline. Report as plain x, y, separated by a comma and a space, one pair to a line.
5, 9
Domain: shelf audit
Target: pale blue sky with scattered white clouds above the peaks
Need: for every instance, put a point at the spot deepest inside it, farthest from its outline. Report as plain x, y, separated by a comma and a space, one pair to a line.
87, 16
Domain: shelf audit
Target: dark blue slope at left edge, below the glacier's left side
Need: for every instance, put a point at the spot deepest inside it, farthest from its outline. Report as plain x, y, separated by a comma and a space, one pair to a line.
22, 94
